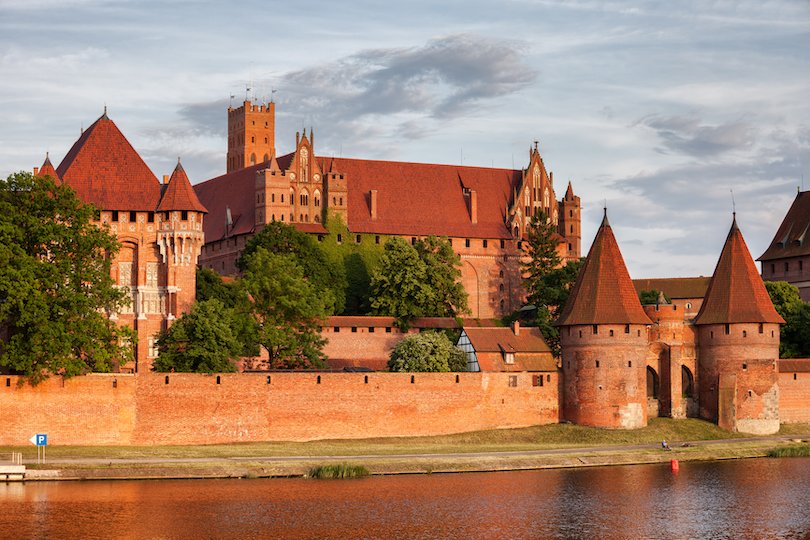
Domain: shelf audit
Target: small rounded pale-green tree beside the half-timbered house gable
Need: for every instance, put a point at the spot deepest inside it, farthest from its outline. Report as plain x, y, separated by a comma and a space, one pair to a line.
427, 351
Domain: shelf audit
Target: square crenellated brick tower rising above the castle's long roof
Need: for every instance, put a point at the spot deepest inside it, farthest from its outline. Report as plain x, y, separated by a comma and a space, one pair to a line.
251, 135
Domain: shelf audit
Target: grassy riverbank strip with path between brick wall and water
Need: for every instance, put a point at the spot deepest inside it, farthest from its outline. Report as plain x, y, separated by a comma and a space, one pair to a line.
539, 447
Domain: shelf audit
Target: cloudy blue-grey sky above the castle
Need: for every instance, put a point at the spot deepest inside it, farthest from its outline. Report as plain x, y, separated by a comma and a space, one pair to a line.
657, 109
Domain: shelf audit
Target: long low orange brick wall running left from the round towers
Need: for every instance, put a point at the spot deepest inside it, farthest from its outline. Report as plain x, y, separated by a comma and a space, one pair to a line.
180, 408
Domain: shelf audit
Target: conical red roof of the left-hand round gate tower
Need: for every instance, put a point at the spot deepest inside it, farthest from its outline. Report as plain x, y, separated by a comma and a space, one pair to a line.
603, 293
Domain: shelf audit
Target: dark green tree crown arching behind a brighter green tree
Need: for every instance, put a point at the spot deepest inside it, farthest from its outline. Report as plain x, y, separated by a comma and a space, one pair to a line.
325, 273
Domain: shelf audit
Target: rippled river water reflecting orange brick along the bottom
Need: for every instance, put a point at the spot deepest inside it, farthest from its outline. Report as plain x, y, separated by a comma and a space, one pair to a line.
762, 498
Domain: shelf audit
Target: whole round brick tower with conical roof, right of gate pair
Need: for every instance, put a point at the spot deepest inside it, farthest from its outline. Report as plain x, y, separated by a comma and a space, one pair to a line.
738, 336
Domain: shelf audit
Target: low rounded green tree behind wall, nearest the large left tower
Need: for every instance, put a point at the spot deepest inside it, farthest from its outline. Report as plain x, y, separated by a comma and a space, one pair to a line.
200, 341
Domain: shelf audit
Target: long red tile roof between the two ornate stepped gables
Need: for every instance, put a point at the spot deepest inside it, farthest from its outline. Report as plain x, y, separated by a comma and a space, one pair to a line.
423, 199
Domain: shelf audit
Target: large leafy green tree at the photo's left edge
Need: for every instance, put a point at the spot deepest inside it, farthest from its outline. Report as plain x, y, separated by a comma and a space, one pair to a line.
55, 285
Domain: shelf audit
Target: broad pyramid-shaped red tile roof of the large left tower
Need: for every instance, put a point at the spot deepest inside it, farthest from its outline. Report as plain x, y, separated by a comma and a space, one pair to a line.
105, 170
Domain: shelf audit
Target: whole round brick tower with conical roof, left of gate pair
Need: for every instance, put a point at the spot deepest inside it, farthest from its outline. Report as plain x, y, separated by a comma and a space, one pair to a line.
603, 334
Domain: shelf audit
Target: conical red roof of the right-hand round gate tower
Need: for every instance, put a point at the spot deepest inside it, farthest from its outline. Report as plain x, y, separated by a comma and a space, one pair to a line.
736, 292
